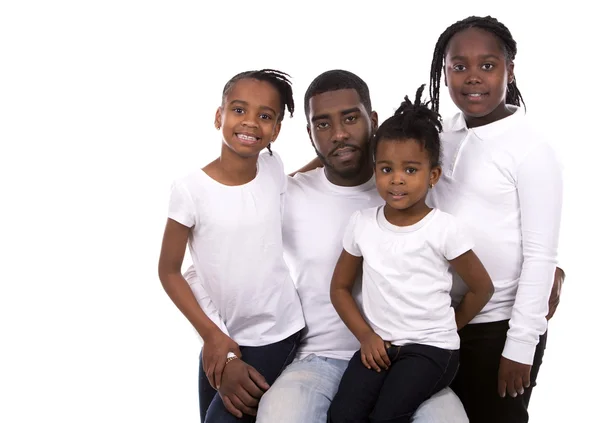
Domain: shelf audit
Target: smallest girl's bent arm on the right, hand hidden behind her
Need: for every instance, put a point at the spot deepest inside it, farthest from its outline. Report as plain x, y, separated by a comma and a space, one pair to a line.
471, 270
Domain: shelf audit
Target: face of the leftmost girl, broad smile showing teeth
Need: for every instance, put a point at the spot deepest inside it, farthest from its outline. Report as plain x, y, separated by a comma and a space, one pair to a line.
249, 118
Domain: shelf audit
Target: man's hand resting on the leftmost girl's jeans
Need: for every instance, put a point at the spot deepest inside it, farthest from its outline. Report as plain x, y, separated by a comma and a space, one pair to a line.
241, 388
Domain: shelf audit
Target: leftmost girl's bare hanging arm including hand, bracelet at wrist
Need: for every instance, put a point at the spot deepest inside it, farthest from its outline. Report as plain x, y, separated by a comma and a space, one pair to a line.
216, 343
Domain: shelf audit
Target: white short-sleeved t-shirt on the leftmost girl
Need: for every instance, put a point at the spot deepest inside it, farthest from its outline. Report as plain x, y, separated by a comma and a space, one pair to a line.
236, 247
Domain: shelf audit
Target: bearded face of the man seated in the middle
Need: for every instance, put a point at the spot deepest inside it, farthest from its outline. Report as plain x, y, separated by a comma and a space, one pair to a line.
340, 129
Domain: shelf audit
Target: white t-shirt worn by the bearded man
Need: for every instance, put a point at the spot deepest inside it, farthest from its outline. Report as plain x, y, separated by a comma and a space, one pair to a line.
316, 214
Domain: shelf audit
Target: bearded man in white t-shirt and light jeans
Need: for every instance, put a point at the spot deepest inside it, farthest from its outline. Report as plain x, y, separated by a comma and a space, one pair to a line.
318, 205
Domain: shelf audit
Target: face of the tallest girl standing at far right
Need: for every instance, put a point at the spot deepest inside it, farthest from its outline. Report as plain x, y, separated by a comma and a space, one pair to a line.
477, 74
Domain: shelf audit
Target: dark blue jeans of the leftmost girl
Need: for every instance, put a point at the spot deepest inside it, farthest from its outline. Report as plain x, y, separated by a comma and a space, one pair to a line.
268, 360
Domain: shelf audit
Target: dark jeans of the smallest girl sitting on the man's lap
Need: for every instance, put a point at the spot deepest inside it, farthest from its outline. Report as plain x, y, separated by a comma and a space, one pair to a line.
417, 372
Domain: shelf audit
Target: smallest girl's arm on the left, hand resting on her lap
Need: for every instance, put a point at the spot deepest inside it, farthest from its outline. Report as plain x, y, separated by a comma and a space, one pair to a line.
373, 349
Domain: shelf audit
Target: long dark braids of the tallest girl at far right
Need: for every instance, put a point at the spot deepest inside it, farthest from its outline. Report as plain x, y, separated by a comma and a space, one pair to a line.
489, 24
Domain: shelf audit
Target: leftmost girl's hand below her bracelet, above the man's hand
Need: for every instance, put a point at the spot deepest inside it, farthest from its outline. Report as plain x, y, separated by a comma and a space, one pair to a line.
214, 356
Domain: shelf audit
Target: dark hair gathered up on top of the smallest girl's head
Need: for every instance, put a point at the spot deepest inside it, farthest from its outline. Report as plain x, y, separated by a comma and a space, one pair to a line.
415, 121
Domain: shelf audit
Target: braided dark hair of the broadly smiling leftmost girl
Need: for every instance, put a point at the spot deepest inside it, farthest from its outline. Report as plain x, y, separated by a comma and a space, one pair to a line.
279, 80
